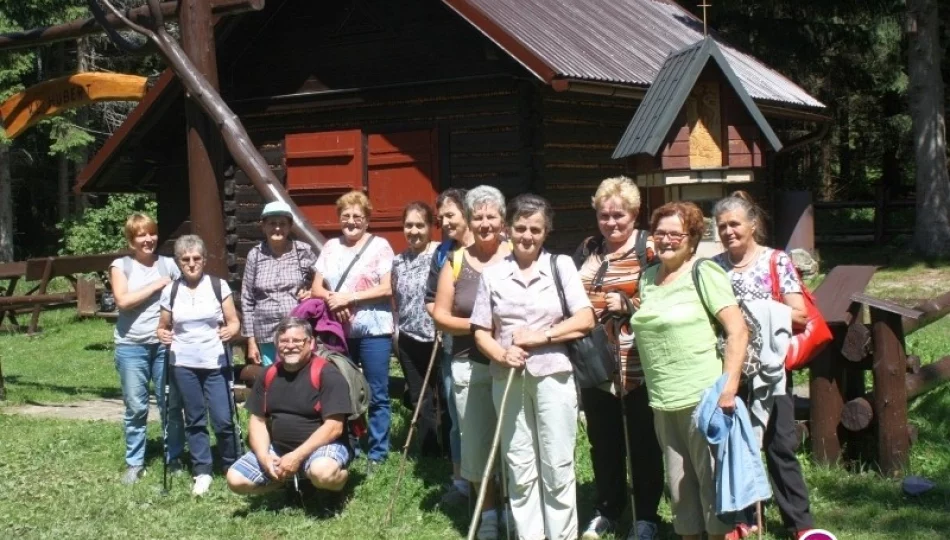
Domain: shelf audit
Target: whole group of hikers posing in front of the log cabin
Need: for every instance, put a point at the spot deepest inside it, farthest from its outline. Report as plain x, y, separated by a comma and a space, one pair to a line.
486, 302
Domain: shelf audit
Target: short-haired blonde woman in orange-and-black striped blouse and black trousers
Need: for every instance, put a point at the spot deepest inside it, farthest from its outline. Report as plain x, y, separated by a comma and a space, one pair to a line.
610, 264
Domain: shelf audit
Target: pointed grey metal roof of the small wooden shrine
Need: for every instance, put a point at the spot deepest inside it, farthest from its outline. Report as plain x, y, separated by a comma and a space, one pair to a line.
655, 116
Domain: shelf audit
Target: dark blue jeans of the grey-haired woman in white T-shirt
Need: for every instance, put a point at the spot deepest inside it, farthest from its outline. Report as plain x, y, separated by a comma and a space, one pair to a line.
203, 391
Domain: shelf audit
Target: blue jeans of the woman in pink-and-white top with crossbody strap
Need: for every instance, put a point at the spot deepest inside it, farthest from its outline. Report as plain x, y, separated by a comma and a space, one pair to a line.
372, 354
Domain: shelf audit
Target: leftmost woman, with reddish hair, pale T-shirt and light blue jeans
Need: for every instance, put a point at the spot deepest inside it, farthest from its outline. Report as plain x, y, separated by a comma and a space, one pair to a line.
137, 281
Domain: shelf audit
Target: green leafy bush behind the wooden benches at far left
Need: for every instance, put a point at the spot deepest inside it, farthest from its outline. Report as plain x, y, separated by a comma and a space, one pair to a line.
101, 230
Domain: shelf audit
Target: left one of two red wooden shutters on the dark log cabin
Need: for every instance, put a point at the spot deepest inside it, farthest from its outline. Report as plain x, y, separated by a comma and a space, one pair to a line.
320, 168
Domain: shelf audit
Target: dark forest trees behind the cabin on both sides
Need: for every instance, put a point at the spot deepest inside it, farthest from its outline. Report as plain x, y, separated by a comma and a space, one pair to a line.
850, 54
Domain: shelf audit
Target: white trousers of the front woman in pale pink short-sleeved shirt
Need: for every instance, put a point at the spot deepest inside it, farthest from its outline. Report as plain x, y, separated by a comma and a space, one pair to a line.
539, 429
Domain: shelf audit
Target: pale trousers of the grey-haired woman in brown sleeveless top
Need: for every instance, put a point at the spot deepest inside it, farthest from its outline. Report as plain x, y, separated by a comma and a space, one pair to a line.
472, 386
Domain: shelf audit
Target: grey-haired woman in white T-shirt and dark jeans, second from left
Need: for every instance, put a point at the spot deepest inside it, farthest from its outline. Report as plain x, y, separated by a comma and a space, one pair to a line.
198, 319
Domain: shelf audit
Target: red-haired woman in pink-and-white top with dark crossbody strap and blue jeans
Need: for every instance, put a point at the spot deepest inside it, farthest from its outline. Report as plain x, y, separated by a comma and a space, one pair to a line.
352, 274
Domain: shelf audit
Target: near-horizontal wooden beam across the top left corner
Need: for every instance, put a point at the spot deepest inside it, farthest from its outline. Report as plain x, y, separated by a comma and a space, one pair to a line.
86, 27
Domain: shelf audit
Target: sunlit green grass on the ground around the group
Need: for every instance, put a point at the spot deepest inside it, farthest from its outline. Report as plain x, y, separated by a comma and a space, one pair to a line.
58, 479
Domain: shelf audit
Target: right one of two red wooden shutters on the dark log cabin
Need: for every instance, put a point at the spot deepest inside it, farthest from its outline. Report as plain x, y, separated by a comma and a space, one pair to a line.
401, 168
